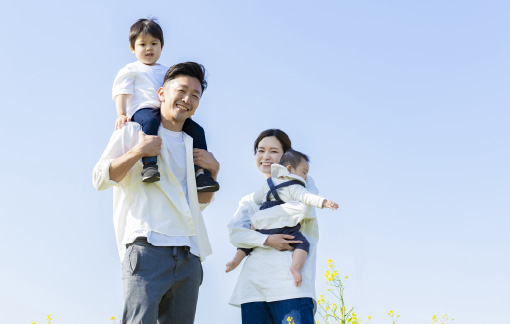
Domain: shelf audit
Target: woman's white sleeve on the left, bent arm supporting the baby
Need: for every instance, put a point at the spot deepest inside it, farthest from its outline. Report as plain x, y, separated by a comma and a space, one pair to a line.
239, 226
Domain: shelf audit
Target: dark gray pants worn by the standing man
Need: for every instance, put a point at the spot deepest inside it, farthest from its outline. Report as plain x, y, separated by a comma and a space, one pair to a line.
160, 284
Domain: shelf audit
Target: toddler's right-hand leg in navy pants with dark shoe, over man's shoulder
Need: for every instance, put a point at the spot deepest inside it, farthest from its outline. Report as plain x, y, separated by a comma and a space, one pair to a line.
205, 182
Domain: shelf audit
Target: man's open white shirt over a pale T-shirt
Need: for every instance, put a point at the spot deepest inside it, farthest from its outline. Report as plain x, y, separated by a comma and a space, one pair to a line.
166, 212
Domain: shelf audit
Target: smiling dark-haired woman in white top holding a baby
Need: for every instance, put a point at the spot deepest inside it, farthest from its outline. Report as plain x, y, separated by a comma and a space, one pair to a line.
265, 288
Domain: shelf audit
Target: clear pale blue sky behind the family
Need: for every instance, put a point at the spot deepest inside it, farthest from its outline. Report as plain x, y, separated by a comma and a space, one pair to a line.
403, 107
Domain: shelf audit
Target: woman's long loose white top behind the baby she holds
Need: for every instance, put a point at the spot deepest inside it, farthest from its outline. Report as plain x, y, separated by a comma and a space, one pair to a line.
265, 276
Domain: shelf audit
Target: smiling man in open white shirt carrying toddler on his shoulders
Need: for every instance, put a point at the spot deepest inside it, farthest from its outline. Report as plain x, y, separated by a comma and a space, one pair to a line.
161, 235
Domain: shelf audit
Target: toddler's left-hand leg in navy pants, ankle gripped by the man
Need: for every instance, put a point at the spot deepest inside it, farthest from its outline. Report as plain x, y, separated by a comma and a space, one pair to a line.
149, 119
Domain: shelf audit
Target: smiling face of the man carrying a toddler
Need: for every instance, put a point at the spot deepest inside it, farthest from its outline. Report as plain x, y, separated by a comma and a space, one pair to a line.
180, 98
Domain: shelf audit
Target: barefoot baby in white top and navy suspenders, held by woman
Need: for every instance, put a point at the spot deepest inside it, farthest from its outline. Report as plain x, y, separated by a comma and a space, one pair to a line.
287, 184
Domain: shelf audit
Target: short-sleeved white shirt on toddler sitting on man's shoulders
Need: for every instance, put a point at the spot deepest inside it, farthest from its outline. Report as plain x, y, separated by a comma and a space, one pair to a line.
141, 82
